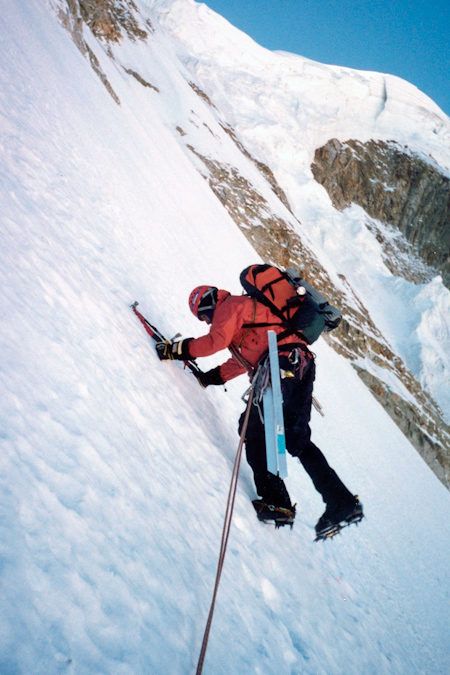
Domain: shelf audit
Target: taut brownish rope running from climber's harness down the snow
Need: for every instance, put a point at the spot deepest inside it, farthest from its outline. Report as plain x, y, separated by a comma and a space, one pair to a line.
225, 533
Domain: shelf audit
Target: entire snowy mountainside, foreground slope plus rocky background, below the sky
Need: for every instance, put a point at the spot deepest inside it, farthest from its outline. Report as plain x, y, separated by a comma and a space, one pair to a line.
148, 147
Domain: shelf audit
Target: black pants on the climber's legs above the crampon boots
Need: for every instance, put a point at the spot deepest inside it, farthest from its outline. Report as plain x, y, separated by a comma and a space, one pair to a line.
297, 400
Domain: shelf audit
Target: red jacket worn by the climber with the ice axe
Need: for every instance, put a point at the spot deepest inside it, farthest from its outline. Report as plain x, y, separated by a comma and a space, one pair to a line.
227, 331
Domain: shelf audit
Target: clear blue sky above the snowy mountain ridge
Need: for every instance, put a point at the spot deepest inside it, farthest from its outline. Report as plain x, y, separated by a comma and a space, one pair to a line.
405, 38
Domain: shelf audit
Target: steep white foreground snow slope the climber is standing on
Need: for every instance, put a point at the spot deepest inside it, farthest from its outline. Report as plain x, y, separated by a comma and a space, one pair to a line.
114, 467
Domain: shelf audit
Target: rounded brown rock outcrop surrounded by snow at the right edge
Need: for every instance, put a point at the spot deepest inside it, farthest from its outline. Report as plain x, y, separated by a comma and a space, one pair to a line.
395, 186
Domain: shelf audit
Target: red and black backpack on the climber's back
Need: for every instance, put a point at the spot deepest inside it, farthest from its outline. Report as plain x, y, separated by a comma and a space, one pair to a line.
300, 307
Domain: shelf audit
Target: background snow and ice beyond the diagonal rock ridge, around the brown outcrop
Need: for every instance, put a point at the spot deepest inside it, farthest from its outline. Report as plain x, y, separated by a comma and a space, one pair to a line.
283, 107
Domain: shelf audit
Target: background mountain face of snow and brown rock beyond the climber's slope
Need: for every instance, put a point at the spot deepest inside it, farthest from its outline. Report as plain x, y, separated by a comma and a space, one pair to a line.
274, 120
